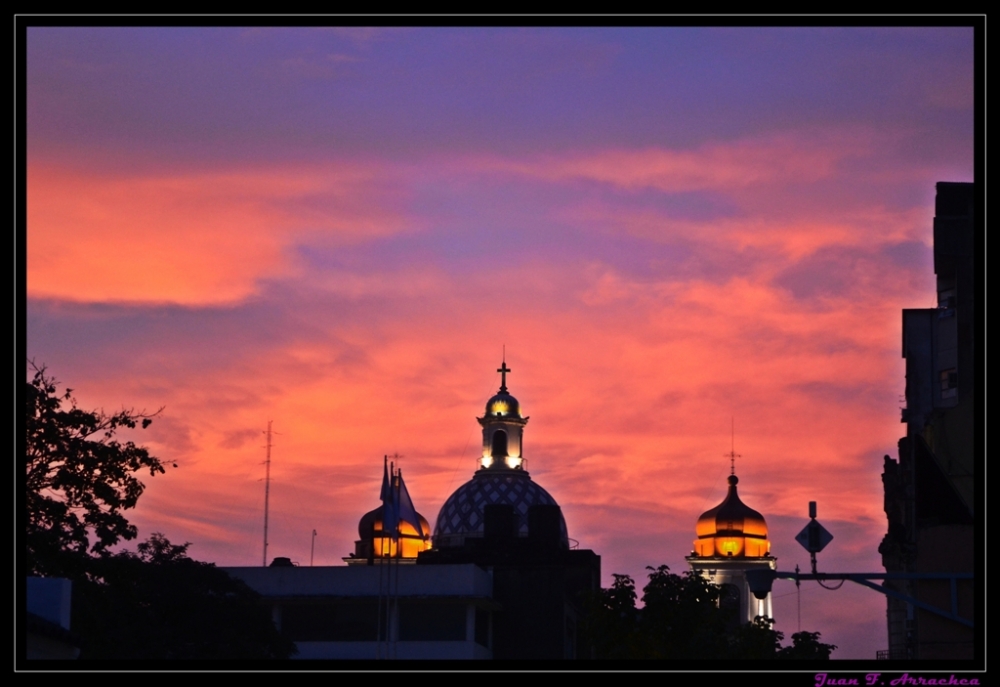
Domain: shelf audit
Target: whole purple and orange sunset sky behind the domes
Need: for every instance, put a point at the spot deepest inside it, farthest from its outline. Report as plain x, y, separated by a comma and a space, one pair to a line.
338, 229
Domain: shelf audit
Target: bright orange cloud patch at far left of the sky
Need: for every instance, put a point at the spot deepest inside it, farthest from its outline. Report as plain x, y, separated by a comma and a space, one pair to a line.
196, 238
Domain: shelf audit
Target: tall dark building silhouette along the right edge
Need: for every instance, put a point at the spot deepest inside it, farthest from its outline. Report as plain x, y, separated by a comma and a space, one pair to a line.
930, 491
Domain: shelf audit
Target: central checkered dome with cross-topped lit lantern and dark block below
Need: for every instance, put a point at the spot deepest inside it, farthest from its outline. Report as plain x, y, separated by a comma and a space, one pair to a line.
503, 521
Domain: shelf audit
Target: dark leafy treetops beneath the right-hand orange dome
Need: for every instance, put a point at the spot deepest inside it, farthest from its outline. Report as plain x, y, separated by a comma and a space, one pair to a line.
681, 618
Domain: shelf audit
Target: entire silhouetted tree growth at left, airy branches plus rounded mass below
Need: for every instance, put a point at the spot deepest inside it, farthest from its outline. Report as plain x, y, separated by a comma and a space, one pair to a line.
153, 603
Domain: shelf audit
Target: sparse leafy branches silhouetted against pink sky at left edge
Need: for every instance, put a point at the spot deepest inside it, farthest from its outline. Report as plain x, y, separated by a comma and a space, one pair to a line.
79, 478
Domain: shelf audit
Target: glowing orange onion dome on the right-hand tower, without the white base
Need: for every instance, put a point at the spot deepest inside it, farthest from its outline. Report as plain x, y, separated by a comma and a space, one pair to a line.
732, 529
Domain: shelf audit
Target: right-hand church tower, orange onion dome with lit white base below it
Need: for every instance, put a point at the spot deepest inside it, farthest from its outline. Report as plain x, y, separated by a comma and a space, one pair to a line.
732, 539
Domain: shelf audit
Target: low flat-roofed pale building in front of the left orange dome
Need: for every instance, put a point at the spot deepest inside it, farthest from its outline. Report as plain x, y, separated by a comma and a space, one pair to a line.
380, 611
